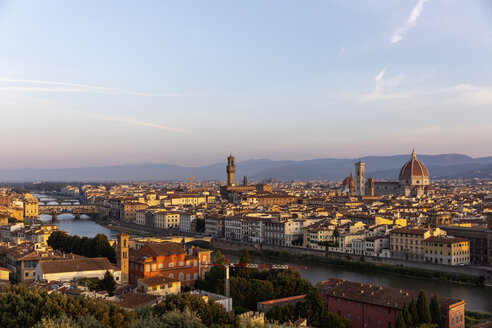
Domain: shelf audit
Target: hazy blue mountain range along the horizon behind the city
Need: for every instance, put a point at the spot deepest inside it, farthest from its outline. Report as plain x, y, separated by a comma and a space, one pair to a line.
445, 166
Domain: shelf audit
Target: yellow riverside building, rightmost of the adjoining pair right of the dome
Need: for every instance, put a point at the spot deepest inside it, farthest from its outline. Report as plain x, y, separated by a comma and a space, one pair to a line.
447, 250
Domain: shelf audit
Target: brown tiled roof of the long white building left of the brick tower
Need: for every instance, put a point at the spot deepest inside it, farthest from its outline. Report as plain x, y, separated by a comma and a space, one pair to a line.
72, 265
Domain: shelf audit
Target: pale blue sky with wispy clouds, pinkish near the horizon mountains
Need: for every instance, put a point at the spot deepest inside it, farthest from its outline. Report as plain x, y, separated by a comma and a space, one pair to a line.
92, 83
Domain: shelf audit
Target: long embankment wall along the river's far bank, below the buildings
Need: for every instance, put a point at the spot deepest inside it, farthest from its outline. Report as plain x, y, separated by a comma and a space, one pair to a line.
228, 246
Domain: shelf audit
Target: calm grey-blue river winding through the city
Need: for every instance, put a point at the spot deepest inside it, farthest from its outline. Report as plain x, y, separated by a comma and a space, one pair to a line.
477, 298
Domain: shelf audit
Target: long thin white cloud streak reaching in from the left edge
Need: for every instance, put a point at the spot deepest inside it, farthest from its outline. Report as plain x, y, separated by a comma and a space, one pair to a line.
23, 85
